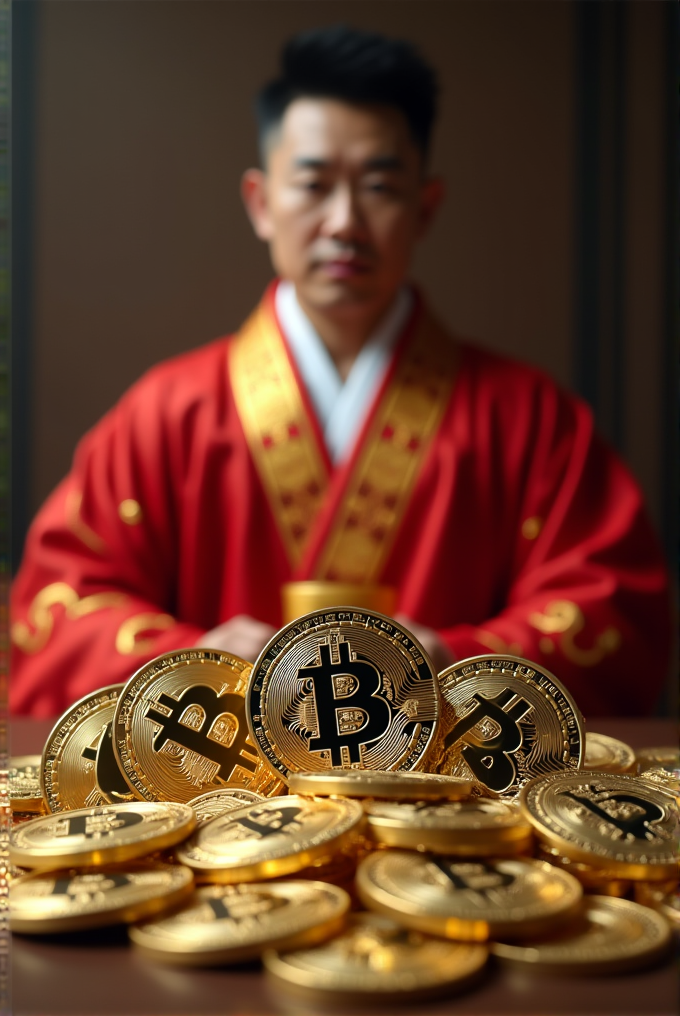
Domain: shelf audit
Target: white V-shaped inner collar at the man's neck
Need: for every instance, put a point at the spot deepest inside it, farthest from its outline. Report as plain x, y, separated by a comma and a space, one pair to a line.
341, 408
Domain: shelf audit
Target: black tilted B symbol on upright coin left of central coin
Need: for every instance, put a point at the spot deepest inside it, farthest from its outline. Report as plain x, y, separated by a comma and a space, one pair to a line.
201, 739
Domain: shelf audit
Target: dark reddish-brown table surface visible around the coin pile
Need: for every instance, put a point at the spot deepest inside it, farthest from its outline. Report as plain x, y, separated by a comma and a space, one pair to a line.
97, 974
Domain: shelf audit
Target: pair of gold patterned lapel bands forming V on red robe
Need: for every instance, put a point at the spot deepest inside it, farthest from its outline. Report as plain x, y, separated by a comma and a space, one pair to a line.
357, 513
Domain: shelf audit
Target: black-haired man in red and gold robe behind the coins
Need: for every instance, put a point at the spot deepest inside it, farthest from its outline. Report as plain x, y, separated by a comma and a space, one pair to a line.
343, 435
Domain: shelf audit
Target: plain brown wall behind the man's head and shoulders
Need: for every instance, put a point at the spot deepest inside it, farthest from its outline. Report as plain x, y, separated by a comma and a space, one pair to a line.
144, 128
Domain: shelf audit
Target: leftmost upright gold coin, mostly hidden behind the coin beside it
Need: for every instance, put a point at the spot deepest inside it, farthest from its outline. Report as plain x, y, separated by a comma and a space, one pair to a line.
73, 763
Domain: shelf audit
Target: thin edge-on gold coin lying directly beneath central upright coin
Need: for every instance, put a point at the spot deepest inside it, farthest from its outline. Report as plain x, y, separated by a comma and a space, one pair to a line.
377, 784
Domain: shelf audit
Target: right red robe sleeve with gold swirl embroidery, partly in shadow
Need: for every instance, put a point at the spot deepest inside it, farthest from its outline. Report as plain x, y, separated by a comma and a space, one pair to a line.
587, 594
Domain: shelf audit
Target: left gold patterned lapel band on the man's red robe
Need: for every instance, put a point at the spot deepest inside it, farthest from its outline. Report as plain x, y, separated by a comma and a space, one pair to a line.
278, 429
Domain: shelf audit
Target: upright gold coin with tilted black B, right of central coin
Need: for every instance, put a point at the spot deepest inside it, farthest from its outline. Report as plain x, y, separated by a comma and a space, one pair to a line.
513, 721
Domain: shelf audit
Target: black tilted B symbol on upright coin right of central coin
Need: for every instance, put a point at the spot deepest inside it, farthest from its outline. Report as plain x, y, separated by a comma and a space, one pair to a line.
490, 761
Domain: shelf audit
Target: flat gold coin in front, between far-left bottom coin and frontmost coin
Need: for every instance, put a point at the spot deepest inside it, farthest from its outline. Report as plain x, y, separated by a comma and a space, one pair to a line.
232, 924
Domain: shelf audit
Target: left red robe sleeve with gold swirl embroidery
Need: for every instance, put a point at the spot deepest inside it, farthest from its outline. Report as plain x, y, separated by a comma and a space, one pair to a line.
95, 597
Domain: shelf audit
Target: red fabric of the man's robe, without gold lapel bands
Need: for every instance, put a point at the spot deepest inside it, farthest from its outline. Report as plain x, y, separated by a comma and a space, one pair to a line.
524, 534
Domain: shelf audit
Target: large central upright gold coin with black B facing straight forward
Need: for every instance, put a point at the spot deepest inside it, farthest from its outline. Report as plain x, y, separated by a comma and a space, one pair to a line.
344, 688
